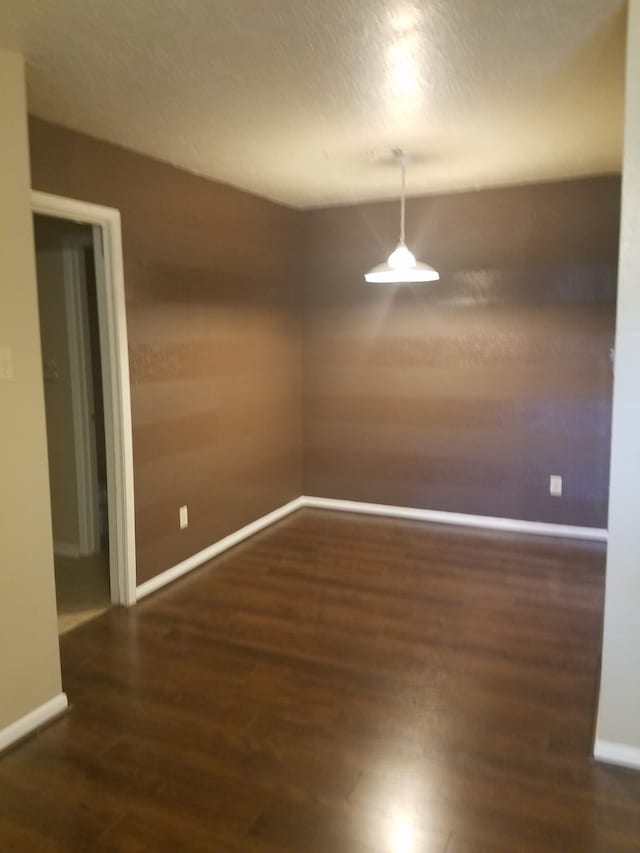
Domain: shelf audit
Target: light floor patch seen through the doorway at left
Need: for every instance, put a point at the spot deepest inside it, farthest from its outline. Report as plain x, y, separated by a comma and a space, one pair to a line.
82, 589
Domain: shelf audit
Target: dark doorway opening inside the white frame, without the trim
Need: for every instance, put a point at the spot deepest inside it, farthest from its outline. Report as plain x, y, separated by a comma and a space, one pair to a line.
74, 405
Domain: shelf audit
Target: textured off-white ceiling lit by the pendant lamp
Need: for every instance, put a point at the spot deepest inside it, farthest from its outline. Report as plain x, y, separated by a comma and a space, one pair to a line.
299, 100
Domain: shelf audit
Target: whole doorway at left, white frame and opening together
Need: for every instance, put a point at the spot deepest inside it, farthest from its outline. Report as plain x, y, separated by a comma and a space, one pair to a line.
87, 398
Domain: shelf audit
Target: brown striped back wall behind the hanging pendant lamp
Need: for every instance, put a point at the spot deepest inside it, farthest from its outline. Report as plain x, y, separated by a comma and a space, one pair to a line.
466, 395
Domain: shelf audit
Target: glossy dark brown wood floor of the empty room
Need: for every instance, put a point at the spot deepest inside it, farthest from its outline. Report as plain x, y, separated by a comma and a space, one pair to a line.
336, 684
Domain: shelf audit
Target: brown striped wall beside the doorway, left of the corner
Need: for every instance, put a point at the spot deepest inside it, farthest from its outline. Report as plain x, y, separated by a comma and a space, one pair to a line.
214, 336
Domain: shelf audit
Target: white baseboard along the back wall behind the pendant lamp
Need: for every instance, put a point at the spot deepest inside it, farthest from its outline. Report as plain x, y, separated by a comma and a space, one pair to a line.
486, 522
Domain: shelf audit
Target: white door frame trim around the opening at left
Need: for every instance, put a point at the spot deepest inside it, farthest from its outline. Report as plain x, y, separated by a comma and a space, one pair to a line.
114, 350
